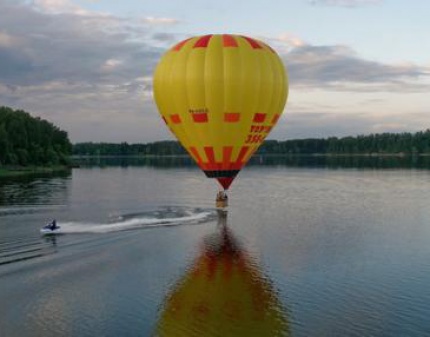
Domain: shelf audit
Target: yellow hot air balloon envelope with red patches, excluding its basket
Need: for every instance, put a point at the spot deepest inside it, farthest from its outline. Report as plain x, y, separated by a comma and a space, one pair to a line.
220, 95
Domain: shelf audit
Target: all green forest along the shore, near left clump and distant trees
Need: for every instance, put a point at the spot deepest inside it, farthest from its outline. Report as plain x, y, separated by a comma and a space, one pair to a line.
32, 141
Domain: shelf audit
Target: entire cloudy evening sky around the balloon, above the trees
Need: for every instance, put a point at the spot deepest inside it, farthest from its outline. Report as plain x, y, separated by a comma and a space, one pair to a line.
354, 66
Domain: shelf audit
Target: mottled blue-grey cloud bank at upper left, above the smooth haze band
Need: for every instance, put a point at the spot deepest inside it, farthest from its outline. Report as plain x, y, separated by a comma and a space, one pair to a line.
68, 47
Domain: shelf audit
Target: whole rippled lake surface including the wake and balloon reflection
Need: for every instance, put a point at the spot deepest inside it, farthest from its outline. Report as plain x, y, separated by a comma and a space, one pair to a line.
305, 249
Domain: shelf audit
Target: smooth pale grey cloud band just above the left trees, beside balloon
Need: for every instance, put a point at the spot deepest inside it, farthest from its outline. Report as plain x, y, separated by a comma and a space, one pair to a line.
92, 113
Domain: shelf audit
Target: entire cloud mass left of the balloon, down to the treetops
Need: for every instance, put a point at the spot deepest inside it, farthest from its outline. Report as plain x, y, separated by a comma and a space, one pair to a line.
76, 69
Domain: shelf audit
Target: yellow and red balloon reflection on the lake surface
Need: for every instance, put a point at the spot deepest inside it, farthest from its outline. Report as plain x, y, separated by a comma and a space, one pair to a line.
224, 293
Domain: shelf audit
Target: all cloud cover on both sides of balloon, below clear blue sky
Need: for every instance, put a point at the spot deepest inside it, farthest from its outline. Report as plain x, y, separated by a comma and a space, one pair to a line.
91, 74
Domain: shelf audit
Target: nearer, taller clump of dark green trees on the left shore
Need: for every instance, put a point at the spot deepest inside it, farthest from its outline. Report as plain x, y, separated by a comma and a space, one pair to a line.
27, 140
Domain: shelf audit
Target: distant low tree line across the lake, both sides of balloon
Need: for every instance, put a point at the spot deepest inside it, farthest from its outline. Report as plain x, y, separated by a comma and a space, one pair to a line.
383, 143
